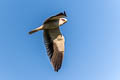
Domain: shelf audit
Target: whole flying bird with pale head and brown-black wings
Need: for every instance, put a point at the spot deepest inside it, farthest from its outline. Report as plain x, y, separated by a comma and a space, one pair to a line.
53, 39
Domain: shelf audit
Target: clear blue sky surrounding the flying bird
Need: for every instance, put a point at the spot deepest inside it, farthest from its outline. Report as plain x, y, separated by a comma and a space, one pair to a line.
92, 37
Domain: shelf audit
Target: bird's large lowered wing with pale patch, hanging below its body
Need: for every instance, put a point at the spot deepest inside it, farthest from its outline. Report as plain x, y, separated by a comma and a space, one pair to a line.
54, 42
